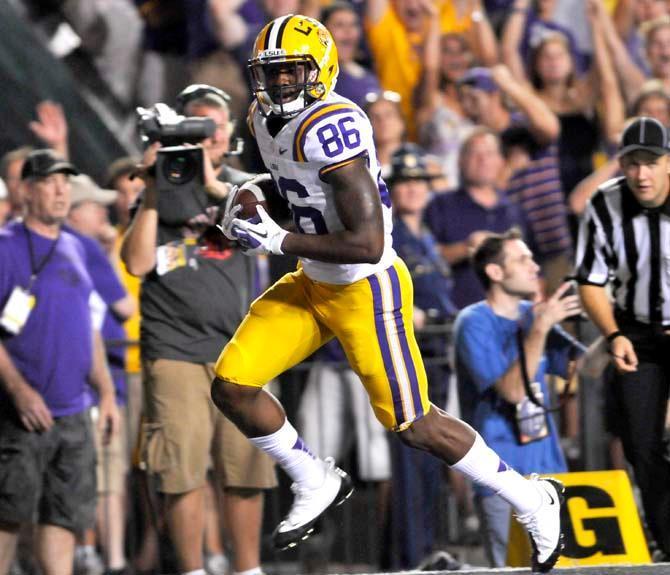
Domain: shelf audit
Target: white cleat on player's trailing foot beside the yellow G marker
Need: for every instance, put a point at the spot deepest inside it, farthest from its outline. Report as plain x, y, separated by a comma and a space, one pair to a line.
544, 525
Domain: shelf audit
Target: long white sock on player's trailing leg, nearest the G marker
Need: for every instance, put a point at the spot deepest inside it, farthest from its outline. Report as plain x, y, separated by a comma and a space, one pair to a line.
484, 466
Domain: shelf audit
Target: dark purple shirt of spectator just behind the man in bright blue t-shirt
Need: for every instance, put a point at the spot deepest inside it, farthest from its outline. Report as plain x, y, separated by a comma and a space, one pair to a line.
452, 217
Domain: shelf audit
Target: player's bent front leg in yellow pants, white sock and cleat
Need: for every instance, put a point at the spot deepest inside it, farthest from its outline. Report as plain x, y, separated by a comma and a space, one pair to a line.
279, 331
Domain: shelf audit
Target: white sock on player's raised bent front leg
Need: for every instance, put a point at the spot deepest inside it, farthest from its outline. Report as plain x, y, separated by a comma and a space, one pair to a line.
290, 451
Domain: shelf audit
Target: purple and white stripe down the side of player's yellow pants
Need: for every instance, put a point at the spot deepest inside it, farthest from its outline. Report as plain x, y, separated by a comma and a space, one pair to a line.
394, 346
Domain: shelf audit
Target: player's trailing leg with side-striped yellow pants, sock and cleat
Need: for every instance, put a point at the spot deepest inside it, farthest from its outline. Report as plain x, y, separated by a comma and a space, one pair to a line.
382, 349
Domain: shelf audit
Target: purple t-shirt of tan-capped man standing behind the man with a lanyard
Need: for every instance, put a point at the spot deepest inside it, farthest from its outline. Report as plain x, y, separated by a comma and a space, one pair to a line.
111, 290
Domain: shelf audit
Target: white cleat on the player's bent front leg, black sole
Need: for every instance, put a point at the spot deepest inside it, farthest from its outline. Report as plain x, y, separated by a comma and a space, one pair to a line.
310, 504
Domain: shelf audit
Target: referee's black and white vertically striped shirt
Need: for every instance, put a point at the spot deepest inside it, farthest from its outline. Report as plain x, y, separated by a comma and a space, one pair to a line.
625, 244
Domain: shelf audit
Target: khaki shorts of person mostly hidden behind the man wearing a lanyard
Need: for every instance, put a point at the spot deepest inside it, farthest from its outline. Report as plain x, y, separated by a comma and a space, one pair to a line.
112, 465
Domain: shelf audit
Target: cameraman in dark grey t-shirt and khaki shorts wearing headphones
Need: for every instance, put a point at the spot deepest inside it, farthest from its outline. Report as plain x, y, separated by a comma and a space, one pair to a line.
195, 292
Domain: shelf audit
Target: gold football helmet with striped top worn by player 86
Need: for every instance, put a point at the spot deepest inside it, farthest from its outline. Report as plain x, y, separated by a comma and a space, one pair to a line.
294, 64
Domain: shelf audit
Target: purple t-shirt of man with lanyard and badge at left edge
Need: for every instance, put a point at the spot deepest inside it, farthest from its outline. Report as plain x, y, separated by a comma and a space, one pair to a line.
54, 351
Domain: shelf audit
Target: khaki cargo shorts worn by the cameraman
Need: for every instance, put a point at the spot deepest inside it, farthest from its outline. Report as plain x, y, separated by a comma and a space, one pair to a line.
183, 431
